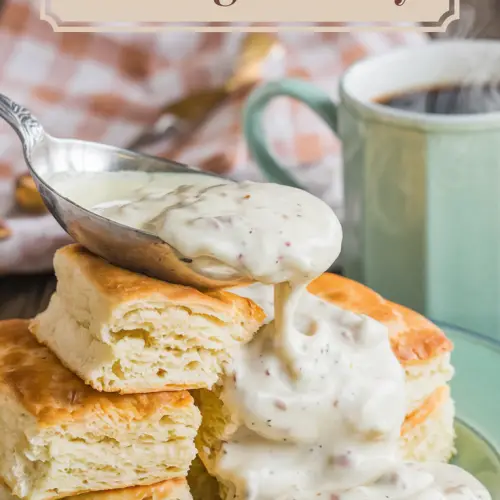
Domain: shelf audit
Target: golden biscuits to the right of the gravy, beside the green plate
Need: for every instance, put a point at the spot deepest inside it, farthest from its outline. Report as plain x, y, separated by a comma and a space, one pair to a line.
424, 351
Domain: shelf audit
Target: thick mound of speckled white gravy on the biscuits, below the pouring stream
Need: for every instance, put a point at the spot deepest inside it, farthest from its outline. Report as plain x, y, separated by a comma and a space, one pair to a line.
331, 428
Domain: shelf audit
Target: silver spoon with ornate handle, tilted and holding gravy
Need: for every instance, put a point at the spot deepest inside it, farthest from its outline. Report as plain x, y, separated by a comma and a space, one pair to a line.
119, 244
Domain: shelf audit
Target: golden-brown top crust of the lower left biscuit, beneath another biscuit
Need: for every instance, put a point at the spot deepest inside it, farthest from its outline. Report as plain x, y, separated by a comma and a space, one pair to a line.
53, 394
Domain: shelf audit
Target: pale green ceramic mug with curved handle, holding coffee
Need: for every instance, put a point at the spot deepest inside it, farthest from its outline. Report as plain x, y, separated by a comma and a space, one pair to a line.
422, 191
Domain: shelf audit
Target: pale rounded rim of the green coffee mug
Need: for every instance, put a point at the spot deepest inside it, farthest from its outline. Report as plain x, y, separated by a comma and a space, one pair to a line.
414, 119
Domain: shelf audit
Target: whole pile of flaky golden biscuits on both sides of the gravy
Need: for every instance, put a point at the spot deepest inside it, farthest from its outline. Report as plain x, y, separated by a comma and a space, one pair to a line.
94, 390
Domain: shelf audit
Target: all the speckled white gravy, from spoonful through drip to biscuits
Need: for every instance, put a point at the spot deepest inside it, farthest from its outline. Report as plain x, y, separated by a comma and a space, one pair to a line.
318, 395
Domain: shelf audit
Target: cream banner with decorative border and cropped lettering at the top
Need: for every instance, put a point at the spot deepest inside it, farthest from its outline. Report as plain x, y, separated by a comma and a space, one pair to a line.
251, 15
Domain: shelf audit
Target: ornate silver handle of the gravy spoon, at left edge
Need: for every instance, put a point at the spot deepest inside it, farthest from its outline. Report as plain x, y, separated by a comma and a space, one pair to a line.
23, 122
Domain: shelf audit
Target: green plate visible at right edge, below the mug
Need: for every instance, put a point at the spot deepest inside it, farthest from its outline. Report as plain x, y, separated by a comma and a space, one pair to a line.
476, 390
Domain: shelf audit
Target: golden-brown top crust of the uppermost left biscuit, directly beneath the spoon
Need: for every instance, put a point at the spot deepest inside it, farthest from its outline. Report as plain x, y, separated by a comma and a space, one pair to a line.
120, 285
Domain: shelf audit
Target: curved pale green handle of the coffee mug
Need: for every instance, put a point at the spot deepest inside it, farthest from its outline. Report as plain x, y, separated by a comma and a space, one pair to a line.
317, 100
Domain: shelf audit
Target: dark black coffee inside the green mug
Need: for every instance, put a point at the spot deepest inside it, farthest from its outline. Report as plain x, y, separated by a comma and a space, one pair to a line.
447, 100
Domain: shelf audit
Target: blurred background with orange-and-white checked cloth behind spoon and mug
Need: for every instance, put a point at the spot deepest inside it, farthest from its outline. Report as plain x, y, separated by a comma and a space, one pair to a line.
177, 95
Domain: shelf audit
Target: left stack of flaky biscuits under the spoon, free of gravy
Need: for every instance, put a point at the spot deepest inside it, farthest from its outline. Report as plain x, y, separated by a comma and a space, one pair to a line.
93, 392
